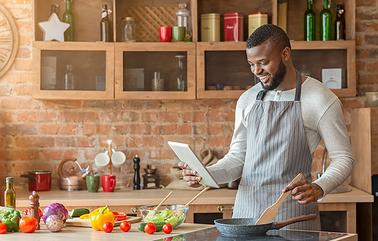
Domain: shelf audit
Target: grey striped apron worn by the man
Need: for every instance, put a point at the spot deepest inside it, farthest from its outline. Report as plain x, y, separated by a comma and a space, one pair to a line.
277, 150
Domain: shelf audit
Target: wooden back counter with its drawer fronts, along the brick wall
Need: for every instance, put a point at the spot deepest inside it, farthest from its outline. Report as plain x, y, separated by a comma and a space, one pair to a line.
212, 201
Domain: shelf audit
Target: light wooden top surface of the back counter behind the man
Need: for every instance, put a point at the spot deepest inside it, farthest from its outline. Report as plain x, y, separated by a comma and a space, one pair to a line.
154, 196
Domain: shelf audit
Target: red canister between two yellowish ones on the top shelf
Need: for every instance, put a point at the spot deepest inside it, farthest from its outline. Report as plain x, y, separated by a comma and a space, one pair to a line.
233, 27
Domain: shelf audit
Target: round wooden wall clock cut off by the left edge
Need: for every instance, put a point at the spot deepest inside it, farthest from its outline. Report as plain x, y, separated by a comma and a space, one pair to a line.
9, 40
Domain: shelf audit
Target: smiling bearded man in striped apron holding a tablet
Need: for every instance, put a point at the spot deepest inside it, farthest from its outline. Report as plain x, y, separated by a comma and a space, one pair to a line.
278, 125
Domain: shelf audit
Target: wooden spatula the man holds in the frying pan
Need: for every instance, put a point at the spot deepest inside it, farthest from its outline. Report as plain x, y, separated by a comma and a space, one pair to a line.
271, 212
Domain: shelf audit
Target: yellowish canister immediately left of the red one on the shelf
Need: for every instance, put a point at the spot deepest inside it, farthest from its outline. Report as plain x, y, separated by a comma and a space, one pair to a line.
210, 27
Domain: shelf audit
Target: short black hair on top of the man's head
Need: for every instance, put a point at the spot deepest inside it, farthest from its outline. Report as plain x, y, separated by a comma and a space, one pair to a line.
269, 32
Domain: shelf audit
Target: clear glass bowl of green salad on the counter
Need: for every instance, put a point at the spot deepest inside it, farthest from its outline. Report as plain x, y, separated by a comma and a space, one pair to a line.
175, 216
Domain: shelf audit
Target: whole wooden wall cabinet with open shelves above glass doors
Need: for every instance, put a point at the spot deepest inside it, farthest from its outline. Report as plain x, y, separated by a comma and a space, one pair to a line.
212, 69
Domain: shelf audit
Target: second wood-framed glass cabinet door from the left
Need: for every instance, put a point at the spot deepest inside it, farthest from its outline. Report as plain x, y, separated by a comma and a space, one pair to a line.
155, 71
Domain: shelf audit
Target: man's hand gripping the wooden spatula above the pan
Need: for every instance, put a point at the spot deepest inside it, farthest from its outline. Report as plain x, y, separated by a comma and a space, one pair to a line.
304, 192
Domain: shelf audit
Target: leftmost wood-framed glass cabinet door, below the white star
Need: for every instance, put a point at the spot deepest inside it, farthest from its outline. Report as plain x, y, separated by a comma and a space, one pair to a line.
68, 72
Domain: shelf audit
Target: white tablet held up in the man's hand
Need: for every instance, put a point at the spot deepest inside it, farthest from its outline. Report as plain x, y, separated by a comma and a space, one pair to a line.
185, 154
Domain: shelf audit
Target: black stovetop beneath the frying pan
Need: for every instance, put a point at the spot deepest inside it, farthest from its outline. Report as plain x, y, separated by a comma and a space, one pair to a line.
212, 234
